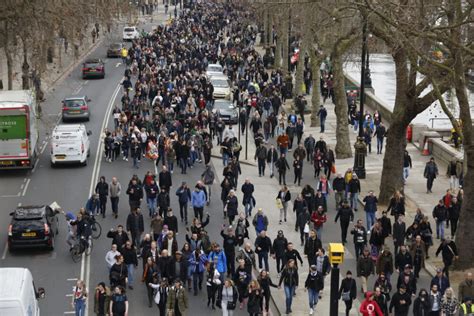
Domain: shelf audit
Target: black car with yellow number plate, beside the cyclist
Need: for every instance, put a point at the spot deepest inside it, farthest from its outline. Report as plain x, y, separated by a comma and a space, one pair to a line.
32, 226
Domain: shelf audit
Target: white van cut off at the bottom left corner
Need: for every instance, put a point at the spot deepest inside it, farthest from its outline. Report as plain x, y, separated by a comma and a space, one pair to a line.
18, 296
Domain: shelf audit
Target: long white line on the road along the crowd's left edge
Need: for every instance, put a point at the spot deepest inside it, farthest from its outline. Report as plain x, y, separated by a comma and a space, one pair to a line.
86, 260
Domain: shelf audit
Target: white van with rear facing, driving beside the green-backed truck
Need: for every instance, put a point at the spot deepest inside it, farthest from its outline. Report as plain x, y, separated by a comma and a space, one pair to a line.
70, 144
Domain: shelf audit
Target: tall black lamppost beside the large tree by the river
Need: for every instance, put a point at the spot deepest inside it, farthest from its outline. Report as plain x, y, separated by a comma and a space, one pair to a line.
360, 145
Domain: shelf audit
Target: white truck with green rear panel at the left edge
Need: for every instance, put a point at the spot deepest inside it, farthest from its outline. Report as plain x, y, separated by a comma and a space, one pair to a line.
18, 129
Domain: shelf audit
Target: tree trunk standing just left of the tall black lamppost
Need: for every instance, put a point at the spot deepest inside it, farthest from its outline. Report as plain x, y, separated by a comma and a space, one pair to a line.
343, 144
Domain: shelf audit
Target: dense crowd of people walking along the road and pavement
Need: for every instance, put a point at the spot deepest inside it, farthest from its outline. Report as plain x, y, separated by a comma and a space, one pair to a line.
166, 115
